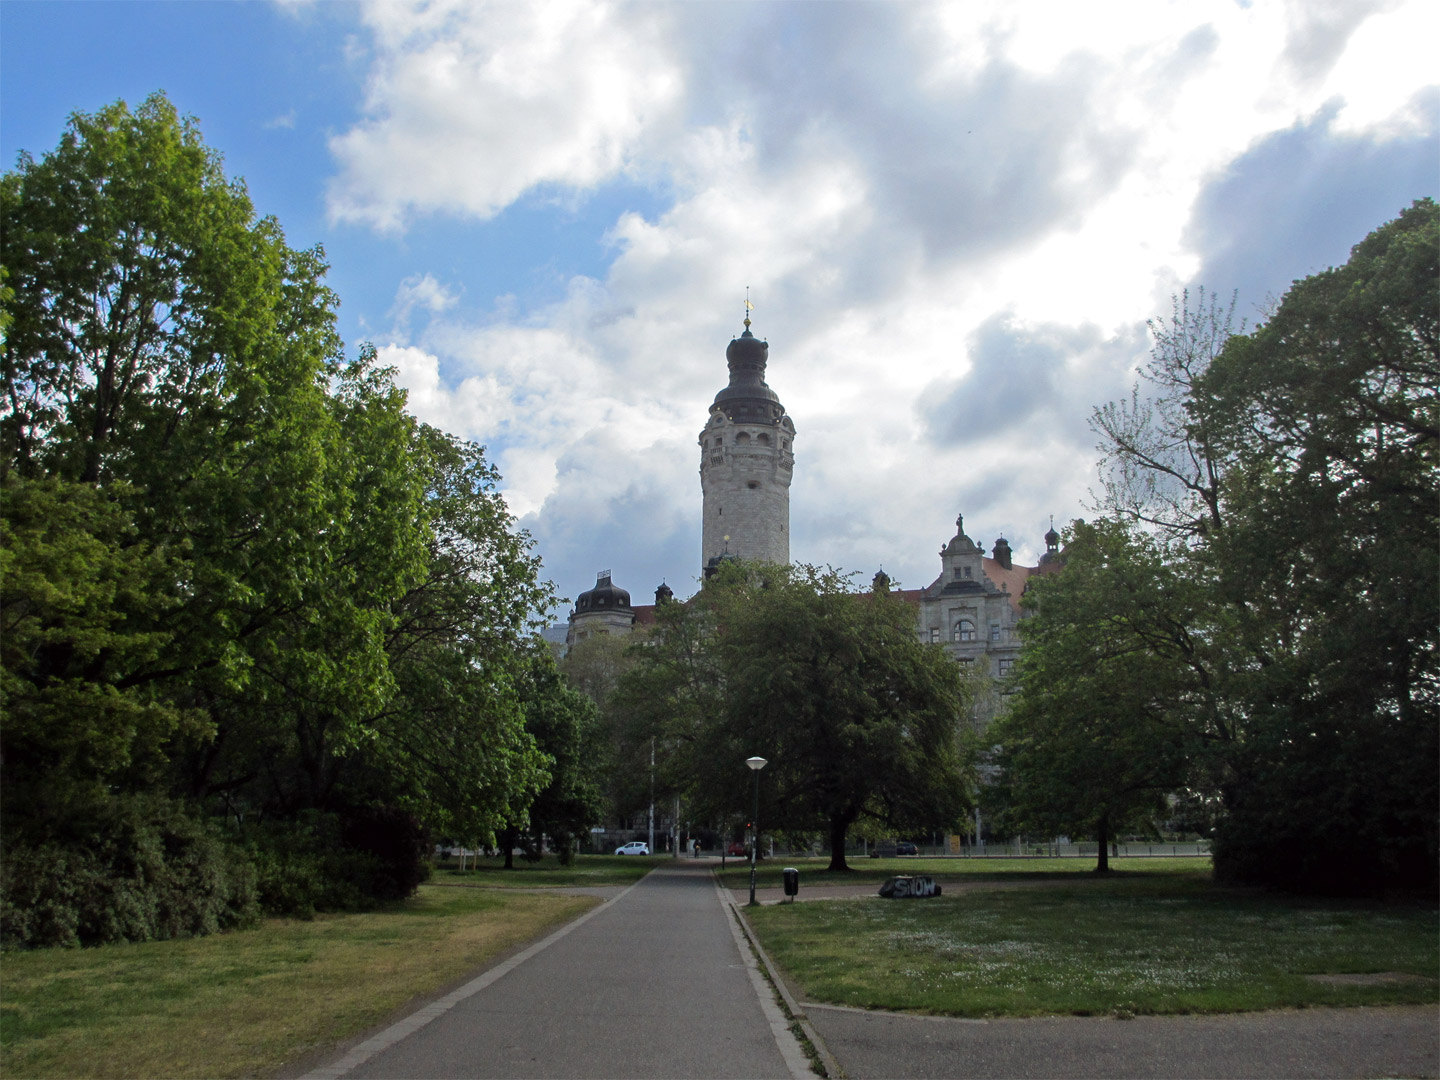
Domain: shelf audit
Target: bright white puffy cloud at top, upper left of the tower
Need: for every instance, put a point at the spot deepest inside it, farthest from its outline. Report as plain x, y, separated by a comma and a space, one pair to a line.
472, 106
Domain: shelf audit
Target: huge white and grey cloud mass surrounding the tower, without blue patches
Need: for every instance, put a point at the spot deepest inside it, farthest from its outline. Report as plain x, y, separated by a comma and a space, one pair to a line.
954, 221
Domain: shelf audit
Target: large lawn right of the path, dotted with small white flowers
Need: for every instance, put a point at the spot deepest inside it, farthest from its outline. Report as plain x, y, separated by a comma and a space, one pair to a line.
1143, 944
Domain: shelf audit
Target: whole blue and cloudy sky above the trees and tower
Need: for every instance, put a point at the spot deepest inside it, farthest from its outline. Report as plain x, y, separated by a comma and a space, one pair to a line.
954, 221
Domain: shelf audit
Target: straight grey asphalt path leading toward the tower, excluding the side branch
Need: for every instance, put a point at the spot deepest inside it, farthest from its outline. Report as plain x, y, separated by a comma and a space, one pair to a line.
652, 984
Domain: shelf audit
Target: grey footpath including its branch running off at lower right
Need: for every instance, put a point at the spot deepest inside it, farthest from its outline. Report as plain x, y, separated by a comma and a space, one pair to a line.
660, 983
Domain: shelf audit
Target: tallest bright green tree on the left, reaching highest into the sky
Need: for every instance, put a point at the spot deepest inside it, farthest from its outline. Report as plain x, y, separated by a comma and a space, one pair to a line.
169, 349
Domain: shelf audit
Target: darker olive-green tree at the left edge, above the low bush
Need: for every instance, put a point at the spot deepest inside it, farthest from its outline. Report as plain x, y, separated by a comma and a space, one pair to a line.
77, 595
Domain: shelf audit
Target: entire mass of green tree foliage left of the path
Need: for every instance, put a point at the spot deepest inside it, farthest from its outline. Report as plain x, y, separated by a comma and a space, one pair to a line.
238, 575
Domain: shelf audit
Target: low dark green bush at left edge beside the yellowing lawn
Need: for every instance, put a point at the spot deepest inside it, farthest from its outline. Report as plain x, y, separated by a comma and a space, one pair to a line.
140, 869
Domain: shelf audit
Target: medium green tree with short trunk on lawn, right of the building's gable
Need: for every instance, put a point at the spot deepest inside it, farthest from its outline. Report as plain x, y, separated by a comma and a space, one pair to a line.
1115, 695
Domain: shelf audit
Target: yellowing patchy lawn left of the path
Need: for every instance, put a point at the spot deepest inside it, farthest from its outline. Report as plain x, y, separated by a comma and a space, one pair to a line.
244, 1004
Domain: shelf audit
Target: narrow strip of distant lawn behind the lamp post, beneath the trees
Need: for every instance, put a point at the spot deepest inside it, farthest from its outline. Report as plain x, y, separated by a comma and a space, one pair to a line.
876, 870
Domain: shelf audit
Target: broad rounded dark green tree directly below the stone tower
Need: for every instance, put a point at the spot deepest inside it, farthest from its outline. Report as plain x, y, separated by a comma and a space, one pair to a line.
855, 715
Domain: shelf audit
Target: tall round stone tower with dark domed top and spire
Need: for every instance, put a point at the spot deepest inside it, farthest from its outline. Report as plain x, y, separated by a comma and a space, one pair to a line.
747, 462
